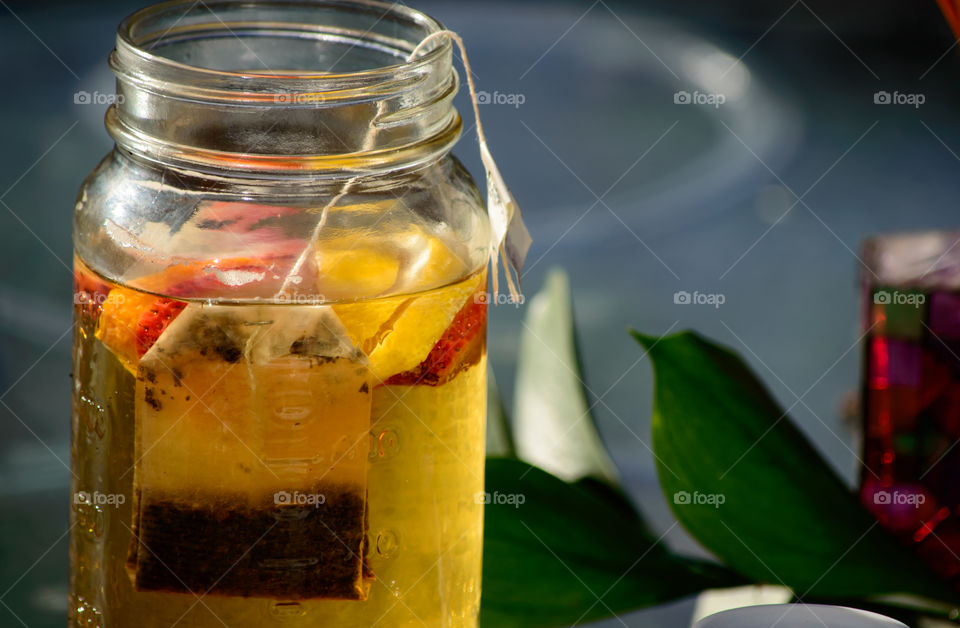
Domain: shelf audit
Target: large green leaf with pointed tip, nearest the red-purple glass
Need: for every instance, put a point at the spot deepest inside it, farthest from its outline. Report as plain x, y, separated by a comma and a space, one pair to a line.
785, 517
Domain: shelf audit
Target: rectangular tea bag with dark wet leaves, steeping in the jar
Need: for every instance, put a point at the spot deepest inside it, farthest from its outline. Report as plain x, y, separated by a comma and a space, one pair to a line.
252, 431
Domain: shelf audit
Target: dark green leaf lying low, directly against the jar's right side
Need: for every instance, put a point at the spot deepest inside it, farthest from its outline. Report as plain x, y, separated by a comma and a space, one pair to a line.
552, 548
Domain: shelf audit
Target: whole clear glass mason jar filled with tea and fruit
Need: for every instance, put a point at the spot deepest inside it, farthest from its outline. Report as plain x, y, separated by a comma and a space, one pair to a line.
279, 359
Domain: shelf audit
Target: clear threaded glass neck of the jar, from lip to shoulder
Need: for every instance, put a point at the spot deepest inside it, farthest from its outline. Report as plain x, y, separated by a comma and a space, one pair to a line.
265, 88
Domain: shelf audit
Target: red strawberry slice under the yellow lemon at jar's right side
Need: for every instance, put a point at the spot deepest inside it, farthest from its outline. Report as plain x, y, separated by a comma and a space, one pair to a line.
460, 347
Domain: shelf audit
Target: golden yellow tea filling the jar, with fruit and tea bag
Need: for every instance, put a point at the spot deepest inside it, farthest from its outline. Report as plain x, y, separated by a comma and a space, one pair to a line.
203, 430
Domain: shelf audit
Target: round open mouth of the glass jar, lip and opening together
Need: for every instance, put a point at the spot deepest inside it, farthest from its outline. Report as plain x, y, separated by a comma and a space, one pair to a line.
367, 40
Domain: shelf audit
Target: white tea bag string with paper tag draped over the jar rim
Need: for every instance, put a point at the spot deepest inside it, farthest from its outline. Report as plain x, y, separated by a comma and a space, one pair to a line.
511, 240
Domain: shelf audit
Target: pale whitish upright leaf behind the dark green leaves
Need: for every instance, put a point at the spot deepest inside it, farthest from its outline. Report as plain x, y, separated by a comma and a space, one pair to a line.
553, 426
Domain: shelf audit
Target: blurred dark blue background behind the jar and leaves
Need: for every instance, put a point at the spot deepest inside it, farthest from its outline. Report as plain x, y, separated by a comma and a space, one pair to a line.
637, 195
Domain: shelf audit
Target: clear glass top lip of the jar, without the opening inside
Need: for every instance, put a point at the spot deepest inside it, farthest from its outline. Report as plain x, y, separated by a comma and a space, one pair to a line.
137, 49
